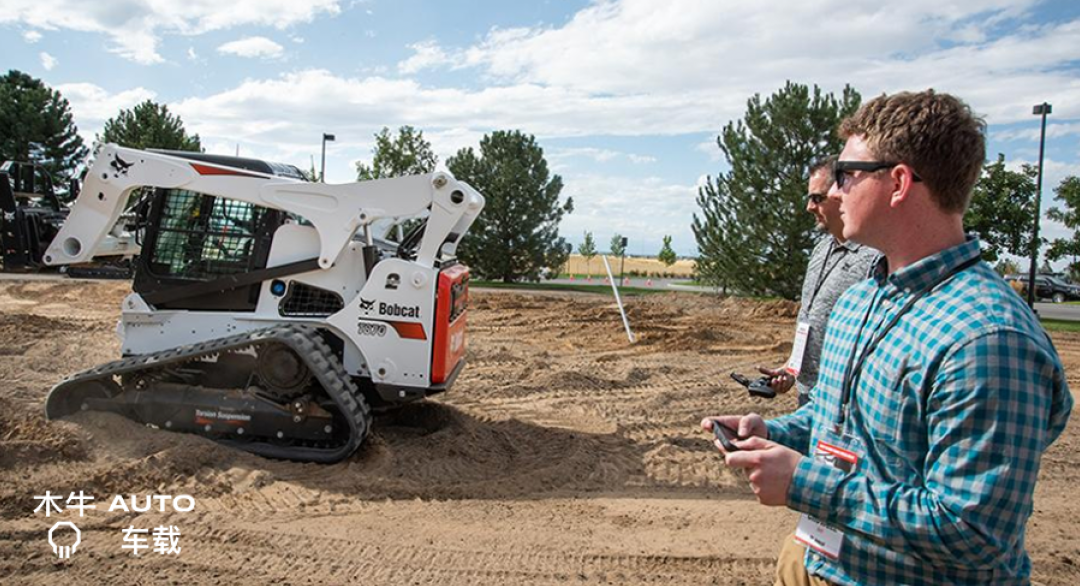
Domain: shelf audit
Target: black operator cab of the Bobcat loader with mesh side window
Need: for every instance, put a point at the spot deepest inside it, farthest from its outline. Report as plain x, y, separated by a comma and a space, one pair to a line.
191, 238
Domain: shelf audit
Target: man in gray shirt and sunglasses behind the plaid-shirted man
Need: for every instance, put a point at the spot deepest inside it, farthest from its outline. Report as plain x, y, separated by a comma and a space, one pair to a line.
835, 265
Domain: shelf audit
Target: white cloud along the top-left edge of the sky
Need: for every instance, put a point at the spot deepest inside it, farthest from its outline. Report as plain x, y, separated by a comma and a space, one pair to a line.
136, 28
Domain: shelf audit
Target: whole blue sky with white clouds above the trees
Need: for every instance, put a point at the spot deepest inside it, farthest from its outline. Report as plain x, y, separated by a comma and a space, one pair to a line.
626, 97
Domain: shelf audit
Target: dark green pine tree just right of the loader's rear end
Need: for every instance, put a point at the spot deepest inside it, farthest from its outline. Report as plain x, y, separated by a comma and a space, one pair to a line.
517, 236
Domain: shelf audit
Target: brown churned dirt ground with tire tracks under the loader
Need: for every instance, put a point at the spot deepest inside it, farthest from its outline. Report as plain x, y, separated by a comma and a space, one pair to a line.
563, 456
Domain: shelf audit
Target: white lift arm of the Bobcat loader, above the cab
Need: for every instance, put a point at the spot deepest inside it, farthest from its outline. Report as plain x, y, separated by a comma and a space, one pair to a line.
337, 212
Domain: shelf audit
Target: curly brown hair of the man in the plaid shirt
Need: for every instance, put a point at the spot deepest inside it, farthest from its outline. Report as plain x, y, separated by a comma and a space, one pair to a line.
936, 134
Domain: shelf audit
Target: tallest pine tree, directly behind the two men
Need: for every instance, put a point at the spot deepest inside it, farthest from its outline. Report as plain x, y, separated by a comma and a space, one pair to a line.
754, 234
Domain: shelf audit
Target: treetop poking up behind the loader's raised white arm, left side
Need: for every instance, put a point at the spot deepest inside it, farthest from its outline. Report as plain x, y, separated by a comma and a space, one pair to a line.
150, 126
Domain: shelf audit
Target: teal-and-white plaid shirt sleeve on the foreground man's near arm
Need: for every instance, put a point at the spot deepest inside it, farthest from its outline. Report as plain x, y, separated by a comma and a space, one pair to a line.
992, 413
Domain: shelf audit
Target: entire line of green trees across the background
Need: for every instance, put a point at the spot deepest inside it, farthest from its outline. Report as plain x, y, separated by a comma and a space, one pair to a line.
752, 229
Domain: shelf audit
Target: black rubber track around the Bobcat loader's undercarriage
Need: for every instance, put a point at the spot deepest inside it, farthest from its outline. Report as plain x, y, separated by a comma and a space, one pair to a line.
304, 340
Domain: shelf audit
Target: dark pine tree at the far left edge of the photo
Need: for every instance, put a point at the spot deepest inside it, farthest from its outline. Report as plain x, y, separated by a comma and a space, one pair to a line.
37, 126
